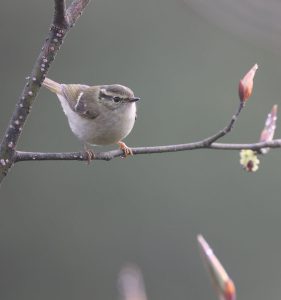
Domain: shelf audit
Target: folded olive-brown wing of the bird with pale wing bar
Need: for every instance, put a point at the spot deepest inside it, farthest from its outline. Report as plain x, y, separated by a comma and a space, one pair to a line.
81, 99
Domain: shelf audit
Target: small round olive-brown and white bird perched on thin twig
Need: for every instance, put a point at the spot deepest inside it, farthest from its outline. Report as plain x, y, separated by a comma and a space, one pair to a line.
97, 115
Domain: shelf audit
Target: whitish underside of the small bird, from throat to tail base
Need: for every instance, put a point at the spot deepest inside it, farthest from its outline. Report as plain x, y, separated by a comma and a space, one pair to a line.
108, 128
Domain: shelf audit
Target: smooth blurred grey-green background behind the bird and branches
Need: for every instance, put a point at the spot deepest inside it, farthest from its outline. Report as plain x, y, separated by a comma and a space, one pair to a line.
66, 229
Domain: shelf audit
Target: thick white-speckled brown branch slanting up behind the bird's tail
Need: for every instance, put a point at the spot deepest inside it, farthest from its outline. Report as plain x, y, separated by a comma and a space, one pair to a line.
62, 22
